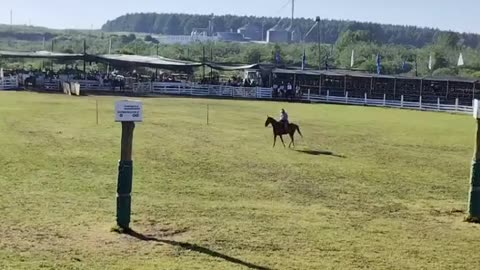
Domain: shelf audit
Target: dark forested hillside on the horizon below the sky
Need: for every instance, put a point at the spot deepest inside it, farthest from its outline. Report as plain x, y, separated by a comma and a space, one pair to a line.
182, 24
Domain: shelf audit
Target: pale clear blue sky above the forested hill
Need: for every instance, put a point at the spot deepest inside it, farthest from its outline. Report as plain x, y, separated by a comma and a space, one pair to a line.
458, 15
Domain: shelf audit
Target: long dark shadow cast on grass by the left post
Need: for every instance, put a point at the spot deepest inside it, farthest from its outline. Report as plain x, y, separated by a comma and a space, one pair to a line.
195, 248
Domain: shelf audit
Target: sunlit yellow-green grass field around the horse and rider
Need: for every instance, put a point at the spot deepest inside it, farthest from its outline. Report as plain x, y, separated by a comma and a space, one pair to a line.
393, 195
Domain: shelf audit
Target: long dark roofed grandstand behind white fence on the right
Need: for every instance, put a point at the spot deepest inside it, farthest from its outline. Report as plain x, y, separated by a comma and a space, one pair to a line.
357, 84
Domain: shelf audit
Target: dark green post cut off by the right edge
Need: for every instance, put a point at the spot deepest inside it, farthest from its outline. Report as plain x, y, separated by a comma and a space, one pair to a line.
474, 198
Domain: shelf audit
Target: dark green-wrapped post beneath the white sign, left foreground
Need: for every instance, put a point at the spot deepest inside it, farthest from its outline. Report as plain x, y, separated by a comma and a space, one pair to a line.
125, 177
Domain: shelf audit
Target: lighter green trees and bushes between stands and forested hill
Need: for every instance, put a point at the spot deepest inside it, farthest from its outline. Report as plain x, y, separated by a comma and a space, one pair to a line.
396, 59
